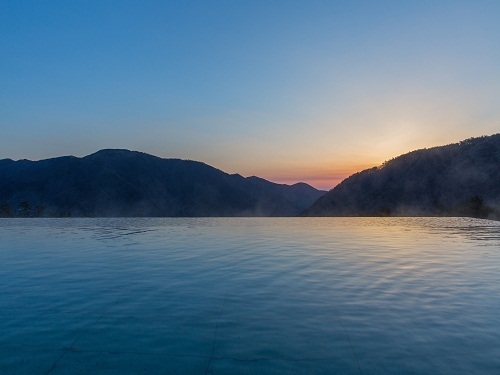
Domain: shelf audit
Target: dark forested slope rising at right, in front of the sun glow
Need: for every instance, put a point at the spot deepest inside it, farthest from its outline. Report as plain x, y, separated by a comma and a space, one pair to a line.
461, 179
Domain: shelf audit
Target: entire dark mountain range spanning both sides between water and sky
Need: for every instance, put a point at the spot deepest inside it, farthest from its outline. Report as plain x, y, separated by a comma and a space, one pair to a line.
461, 179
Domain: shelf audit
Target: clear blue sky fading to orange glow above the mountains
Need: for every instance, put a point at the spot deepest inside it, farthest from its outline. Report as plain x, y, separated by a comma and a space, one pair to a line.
287, 90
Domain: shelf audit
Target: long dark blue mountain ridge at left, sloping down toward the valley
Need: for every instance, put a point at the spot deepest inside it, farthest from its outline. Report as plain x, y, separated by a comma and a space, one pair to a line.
130, 183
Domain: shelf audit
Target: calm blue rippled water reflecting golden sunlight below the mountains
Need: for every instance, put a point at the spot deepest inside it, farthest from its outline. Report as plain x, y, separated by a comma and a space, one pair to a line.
250, 296
